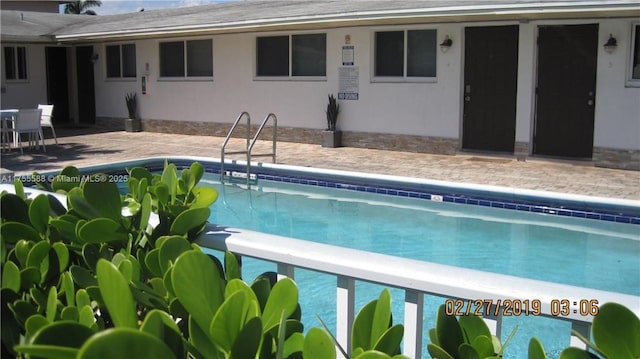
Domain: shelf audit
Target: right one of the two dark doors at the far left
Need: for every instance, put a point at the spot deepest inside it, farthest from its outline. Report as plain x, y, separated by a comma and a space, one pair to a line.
86, 91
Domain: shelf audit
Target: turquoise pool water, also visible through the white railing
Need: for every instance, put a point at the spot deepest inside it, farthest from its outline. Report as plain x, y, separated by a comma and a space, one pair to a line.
581, 252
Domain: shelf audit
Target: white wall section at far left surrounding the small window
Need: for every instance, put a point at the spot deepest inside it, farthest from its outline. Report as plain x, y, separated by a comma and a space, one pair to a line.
31, 92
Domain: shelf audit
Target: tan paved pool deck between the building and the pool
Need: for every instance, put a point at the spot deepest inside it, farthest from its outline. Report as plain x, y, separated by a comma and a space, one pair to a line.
90, 146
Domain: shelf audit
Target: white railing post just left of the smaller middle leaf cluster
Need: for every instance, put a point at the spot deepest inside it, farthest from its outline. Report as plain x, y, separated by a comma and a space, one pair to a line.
345, 311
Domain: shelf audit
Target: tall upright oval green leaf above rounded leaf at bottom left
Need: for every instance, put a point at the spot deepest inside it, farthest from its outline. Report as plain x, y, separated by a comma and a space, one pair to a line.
116, 295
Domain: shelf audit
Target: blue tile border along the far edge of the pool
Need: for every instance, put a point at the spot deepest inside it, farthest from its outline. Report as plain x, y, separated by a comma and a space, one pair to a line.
470, 197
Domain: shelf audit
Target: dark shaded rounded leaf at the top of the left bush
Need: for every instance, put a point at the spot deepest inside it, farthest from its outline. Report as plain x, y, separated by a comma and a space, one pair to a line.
104, 196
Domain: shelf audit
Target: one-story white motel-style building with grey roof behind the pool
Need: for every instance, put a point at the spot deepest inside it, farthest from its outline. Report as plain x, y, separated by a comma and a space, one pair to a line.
557, 79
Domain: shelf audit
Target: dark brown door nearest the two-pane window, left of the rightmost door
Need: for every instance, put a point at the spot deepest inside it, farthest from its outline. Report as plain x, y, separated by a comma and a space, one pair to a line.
490, 81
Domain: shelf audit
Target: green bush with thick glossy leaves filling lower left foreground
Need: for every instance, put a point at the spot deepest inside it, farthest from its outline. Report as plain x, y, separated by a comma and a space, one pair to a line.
116, 275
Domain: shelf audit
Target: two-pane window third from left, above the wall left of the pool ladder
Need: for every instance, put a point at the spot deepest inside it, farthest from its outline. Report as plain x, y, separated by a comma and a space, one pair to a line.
196, 61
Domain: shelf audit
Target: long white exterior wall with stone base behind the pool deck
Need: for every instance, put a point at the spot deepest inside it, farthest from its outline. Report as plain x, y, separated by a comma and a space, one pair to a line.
423, 116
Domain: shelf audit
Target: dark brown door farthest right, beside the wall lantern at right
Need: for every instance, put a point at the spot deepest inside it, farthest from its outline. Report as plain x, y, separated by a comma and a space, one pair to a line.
567, 57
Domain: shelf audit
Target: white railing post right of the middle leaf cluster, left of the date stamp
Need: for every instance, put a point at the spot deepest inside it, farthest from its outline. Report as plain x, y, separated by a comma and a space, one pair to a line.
413, 323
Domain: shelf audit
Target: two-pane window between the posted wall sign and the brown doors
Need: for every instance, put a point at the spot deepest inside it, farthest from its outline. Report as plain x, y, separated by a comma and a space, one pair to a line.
408, 54
